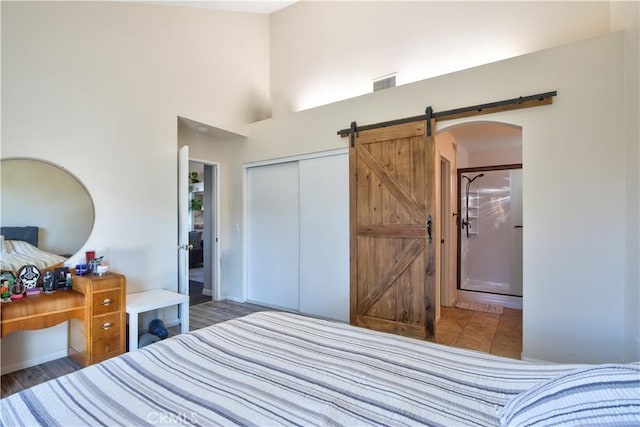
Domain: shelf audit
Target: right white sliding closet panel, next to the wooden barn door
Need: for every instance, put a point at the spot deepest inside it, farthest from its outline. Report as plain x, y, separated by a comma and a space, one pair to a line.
324, 236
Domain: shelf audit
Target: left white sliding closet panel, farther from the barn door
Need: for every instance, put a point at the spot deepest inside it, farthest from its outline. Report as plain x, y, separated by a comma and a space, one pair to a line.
273, 218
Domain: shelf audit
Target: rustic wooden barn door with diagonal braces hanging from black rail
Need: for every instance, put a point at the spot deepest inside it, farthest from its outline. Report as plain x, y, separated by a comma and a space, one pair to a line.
392, 176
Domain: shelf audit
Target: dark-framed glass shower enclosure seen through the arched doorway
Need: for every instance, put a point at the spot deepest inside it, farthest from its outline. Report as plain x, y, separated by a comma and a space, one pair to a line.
490, 229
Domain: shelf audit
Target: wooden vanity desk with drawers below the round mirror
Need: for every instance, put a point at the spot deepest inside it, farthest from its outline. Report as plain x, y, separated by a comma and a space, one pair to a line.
94, 307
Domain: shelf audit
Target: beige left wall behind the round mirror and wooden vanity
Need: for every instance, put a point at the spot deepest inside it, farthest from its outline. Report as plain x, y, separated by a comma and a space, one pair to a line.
97, 87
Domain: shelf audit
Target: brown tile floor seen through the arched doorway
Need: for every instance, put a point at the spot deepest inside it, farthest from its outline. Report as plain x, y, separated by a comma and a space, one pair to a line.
499, 334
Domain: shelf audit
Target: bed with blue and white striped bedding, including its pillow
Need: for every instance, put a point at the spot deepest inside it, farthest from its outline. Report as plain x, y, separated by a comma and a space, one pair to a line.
274, 368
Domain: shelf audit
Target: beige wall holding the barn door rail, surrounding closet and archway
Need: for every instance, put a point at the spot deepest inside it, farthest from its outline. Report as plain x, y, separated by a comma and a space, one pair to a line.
565, 263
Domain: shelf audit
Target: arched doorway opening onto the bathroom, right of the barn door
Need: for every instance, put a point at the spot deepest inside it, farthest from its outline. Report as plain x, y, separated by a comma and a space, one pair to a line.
487, 164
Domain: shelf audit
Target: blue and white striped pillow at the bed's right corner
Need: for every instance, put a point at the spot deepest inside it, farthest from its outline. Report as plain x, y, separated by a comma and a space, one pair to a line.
599, 395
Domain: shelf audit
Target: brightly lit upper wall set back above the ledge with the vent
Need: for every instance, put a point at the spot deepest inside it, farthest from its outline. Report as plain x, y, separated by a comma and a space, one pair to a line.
323, 52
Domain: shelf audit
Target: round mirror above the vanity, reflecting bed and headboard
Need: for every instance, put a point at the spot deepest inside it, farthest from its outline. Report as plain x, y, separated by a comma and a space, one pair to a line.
39, 194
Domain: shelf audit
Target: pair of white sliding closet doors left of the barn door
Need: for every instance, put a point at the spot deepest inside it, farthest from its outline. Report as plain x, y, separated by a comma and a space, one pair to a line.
298, 235
